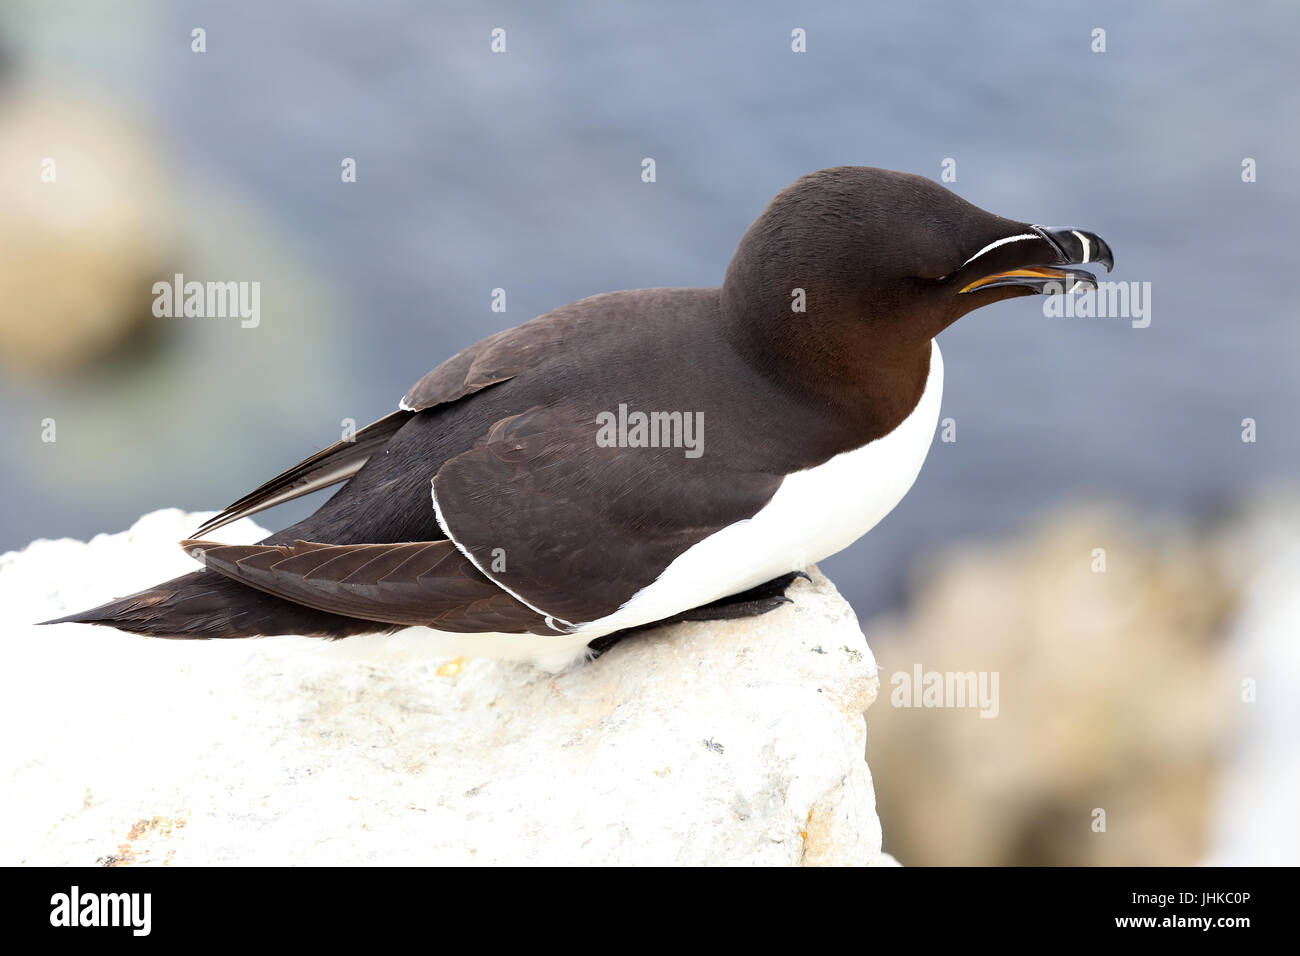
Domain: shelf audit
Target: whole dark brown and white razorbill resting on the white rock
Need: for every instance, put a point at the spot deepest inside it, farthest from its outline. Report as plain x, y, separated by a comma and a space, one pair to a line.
640, 456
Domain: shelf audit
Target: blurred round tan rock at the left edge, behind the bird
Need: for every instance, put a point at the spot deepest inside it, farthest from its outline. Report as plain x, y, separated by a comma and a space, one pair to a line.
84, 231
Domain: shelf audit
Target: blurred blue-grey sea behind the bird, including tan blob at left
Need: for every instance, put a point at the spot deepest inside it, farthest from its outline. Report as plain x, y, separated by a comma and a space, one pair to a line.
523, 171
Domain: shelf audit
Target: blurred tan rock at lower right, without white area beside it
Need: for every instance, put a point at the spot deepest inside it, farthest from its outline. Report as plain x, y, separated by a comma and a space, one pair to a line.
1112, 698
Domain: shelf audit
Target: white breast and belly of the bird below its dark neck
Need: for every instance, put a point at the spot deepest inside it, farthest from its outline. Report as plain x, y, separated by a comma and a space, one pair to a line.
813, 516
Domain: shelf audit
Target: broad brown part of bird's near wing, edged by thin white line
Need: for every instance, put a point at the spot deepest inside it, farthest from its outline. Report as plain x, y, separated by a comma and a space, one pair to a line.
575, 529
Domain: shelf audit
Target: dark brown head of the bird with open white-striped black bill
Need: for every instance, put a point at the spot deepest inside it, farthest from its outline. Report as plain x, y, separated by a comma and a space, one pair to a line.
886, 261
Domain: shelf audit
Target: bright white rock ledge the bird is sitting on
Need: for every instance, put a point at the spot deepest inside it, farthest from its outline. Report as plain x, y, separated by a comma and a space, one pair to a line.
710, 743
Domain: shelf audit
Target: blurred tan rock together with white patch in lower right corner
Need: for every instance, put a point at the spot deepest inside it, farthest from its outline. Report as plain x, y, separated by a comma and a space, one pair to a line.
1120, 691
